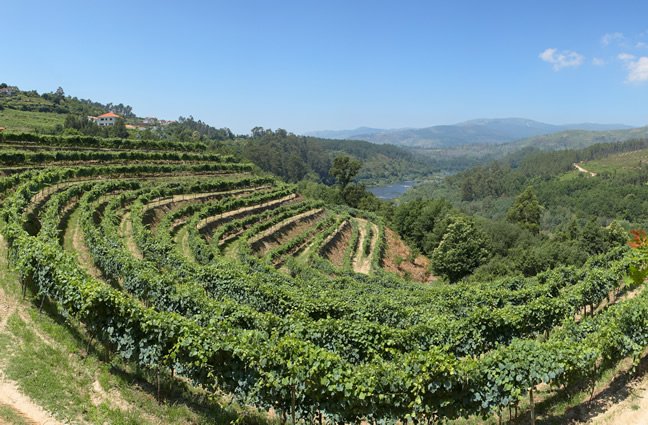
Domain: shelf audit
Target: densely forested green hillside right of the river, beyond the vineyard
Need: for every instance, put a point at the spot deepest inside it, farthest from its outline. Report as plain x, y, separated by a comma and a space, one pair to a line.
534, 209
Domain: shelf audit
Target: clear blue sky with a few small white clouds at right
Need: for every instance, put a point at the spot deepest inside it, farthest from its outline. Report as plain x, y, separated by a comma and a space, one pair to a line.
313, 65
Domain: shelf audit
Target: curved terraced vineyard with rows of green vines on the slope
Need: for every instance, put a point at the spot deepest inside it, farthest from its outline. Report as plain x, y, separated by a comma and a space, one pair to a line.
188, 264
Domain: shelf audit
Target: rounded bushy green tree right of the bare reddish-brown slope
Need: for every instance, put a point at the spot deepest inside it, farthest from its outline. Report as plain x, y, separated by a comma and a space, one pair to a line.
462, 249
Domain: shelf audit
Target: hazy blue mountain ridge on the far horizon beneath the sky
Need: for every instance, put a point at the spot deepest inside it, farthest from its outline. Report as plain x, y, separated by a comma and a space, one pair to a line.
480, 131
